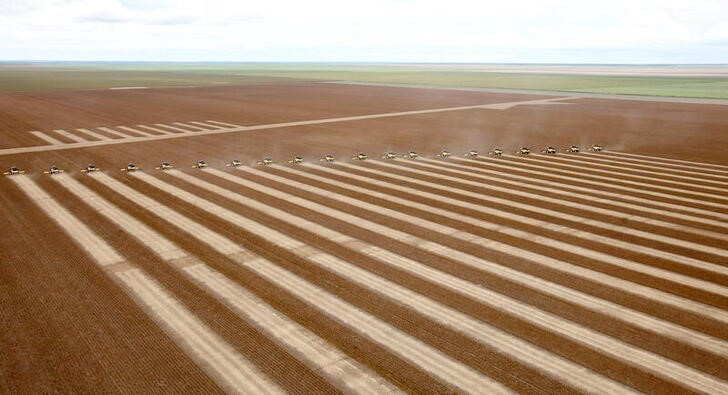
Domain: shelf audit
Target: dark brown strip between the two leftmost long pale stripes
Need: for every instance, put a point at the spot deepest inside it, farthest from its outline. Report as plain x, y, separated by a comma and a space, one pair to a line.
251, 344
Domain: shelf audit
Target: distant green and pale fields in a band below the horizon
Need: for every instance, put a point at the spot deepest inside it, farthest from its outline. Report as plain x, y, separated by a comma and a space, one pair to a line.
105, 75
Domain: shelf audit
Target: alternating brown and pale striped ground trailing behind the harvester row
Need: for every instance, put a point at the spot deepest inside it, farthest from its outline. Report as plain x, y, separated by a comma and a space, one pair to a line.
421, 275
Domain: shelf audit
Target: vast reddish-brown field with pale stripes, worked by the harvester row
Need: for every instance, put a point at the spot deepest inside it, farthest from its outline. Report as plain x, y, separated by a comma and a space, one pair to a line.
596, 272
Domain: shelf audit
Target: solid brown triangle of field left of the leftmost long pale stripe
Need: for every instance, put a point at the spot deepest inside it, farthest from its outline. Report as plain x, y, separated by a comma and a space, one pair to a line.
66, 344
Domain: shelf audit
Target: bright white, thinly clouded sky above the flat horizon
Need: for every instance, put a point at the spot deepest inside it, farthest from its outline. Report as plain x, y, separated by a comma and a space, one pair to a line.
512, 31
